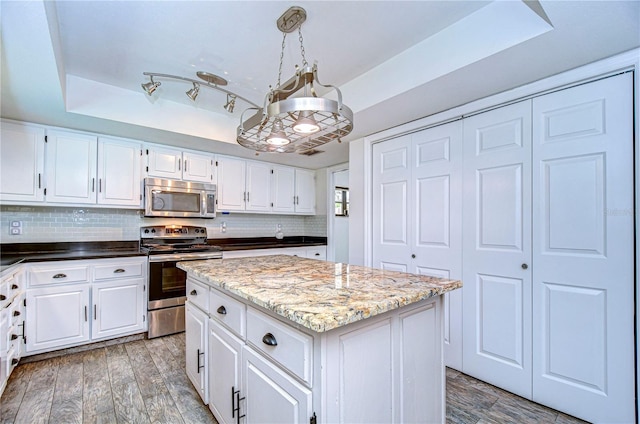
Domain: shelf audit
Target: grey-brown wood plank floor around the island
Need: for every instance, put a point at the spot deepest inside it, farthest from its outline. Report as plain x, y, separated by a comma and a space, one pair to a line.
143, 381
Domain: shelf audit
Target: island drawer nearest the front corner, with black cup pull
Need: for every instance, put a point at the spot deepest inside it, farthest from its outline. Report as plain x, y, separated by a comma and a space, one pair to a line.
284, 344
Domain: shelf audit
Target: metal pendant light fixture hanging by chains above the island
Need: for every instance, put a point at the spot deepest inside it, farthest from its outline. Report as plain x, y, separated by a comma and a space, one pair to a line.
288, 123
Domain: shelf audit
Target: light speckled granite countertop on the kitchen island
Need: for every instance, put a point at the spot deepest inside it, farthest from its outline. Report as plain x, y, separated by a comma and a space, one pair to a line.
318, 295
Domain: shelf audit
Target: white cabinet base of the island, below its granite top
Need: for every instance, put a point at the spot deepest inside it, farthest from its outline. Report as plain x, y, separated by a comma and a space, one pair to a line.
262, 368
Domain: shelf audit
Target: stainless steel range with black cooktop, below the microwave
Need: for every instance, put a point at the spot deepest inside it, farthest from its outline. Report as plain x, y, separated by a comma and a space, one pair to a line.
166, 246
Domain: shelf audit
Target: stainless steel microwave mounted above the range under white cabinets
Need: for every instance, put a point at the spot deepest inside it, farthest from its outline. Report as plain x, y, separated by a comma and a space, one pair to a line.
180, 199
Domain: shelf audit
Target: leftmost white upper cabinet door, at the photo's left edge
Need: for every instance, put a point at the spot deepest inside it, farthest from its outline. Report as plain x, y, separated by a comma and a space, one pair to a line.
21, 163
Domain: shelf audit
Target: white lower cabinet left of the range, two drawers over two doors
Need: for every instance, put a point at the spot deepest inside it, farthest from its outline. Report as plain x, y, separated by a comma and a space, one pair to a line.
74, 302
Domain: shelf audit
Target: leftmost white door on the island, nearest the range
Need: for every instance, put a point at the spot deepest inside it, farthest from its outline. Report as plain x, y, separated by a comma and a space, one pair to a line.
196, 348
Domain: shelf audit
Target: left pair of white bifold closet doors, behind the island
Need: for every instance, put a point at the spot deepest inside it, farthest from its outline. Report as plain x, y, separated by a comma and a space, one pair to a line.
417, 198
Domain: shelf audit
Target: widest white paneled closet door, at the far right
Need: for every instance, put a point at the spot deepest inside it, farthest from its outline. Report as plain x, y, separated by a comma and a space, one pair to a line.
583, 247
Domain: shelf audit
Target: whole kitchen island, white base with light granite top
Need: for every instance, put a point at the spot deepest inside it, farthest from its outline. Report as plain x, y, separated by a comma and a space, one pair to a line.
287, 339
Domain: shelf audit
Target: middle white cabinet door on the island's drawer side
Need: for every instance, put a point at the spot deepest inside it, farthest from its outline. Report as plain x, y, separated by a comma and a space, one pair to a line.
225, 355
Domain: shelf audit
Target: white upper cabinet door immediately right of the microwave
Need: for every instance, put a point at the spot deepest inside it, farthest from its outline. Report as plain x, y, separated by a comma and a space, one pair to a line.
232, 195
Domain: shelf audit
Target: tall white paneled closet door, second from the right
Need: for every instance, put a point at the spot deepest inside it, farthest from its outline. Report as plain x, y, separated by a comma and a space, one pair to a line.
497, 247
